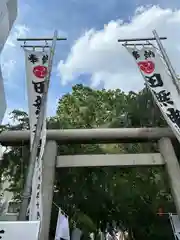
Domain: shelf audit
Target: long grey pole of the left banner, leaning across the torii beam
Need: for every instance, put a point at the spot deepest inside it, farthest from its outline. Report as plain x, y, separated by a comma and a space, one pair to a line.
30, 172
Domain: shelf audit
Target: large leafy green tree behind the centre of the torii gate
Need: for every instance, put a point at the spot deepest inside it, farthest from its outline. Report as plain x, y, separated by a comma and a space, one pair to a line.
87, 108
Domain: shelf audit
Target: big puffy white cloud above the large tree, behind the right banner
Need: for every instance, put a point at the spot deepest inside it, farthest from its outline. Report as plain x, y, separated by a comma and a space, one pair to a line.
99, 54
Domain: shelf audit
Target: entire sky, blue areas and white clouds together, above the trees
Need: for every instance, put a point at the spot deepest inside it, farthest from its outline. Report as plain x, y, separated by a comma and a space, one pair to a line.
95, 57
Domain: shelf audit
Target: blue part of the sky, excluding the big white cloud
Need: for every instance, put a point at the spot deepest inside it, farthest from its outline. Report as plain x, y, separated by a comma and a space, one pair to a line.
72, 19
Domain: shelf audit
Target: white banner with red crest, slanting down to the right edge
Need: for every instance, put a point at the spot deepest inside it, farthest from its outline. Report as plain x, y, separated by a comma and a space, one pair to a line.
160, 84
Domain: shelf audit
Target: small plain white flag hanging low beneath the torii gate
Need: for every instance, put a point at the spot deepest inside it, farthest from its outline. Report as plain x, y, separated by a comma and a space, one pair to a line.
62, 227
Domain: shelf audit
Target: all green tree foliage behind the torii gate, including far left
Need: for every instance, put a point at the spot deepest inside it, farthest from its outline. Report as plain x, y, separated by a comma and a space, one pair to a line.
94, 196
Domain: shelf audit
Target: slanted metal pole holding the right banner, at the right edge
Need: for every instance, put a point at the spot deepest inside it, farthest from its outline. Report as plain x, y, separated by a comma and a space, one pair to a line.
167, 61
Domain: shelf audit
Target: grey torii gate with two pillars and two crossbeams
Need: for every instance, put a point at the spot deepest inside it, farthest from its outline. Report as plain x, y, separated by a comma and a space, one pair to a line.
166, 156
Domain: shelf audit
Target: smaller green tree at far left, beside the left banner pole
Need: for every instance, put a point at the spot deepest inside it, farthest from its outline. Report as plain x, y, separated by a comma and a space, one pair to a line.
14, 165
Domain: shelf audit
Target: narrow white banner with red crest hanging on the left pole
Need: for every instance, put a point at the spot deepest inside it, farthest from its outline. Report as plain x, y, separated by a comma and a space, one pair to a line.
36, 71
